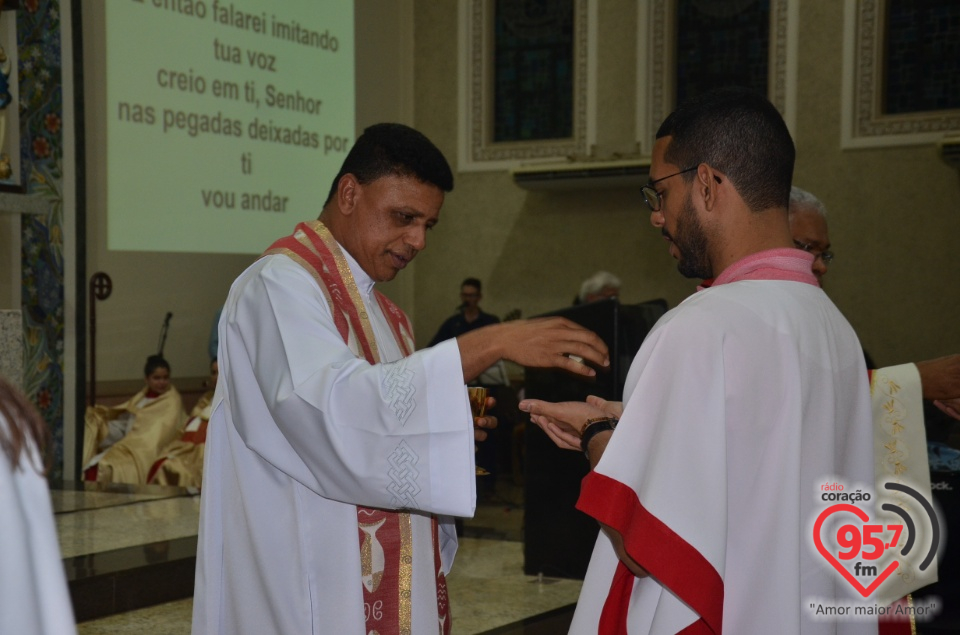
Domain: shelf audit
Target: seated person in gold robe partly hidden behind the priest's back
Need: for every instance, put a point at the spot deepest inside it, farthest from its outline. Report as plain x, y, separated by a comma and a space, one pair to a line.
181, 462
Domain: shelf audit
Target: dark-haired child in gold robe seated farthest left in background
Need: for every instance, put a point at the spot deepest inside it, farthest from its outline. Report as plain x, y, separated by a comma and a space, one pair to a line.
121, 443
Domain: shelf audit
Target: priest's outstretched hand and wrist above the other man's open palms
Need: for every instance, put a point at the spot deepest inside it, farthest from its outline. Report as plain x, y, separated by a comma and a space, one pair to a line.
541, 343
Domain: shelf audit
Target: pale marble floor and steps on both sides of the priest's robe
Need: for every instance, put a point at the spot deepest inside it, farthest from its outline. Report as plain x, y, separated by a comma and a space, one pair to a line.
123, 538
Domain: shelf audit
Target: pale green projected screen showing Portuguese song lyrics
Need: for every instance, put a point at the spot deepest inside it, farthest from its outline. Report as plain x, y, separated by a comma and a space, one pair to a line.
249, 101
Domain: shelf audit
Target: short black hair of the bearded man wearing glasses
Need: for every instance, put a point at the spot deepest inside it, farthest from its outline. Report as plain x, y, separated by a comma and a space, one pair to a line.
739, 132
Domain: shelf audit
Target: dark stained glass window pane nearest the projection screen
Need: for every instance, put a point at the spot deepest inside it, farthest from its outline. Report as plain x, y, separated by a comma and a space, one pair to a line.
533, 70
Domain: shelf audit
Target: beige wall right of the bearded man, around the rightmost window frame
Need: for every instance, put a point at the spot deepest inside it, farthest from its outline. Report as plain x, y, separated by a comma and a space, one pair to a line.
894, 213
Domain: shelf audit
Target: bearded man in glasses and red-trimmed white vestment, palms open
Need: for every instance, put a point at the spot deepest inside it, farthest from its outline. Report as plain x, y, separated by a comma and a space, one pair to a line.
740, 403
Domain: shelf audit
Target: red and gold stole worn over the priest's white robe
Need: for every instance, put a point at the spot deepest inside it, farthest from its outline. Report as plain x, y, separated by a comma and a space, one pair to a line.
385, 540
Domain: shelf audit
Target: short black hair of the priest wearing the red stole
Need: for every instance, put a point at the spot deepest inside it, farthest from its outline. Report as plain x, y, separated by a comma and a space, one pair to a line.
394, 149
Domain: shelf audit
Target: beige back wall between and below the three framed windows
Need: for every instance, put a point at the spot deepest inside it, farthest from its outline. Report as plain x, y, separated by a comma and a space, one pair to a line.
894, 213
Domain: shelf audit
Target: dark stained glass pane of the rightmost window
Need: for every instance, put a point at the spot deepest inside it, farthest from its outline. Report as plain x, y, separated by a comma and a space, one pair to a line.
922, 69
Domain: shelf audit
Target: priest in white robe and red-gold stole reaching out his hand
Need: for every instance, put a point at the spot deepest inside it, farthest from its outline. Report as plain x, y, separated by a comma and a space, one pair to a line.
335, 454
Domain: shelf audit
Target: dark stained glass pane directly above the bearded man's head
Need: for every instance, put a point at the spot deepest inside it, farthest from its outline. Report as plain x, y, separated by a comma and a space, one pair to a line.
722, 43
